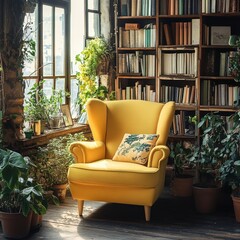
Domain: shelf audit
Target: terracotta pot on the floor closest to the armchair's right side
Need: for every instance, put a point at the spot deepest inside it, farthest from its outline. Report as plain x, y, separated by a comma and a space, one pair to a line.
182, 186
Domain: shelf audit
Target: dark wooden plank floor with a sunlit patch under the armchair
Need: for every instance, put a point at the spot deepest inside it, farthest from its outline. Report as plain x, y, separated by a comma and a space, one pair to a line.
172, 218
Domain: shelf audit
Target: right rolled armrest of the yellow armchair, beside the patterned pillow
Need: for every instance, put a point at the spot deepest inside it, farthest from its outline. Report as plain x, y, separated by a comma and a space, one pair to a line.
157, 155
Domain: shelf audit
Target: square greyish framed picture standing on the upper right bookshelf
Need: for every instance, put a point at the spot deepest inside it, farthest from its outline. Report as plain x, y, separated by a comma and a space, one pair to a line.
220, 35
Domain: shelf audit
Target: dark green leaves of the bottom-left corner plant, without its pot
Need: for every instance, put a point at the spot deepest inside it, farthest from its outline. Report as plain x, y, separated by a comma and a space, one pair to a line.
18, 192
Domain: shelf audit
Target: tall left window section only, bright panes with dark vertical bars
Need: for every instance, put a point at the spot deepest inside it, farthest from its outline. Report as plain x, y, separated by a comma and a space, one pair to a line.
50, 24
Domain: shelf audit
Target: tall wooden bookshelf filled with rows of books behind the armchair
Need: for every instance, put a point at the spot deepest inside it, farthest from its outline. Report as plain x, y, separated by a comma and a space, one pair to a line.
178, 50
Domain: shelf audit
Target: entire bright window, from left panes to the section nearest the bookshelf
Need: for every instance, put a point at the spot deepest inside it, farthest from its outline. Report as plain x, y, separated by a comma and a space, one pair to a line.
51, 31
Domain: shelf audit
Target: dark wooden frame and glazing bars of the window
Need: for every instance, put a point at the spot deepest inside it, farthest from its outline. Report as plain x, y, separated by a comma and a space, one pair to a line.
68, 76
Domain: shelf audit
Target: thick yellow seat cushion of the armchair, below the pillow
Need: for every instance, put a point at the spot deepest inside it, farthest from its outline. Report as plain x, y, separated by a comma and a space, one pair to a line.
107, 172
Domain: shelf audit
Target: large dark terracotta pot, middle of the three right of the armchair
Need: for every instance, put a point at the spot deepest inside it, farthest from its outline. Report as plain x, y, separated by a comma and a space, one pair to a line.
205, 198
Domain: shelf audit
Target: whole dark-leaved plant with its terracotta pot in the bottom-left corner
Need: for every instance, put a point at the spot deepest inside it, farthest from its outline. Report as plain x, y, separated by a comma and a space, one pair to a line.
20, 196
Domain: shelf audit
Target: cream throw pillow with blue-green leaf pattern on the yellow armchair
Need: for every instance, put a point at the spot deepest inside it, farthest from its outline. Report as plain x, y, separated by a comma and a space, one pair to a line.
135, 148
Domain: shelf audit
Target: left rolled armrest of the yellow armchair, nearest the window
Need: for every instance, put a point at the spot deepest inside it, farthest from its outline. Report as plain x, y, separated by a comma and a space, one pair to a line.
87, 151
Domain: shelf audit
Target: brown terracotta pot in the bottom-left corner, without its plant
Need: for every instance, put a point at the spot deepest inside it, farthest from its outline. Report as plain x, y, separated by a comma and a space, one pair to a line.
15, 225
